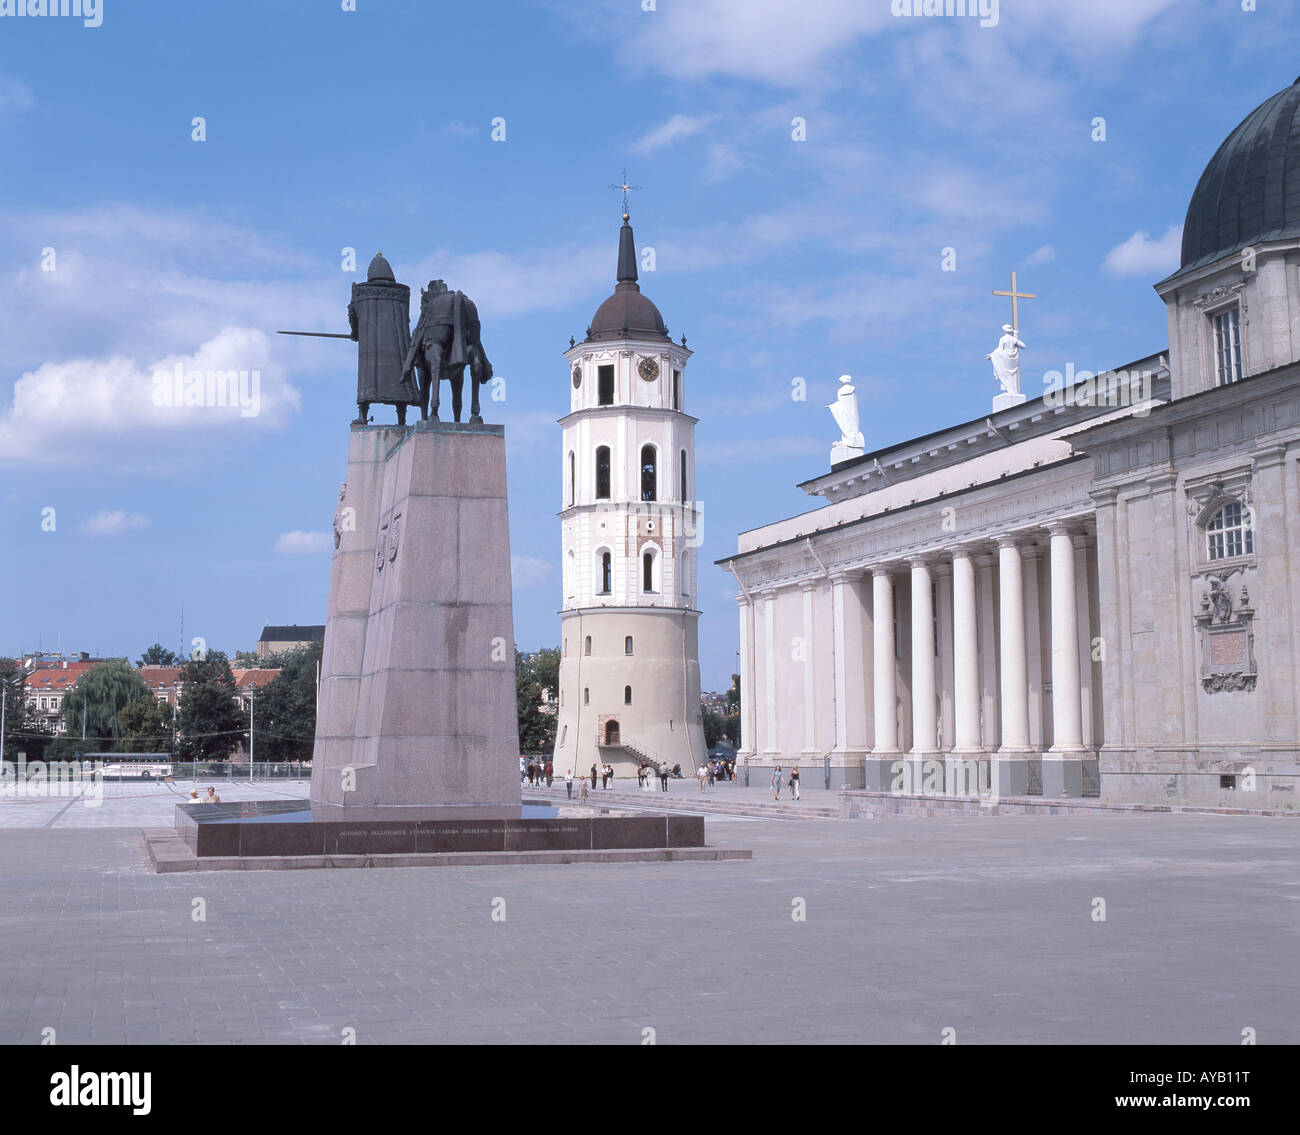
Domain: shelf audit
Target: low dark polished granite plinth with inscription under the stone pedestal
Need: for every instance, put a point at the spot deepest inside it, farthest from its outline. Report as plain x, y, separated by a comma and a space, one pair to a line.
285, 829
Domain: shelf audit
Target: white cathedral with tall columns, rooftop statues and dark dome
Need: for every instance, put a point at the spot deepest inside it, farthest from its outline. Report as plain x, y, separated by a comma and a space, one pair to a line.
1090, 594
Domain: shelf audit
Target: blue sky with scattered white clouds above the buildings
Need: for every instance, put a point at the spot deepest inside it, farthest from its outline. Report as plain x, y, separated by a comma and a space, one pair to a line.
372, 129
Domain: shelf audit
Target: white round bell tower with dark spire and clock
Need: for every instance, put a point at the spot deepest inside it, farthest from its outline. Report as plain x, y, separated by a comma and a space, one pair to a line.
630, 668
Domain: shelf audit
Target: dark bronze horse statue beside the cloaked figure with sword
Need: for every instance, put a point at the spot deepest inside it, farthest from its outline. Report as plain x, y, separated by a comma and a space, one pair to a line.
447, 340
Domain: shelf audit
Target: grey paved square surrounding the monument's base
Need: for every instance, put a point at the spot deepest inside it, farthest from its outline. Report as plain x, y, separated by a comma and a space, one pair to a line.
913, 926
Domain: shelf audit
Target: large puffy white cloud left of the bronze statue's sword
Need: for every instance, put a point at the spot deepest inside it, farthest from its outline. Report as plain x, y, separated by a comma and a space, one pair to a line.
81, 410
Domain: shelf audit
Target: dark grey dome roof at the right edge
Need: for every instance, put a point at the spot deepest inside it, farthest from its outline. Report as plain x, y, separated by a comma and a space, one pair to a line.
1251, 189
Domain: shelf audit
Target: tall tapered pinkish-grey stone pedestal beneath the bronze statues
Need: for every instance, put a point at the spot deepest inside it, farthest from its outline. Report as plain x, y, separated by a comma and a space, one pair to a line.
418, 678
